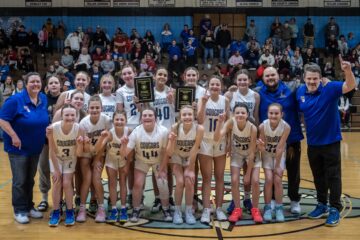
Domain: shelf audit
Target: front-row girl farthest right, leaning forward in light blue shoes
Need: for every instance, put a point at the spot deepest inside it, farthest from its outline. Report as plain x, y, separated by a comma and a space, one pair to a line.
272, 143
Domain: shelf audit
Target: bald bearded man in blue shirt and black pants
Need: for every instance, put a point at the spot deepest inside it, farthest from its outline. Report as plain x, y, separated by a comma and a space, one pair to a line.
275, 91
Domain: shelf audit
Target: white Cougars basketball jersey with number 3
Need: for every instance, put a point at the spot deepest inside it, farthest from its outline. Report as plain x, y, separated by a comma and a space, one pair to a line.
65, 143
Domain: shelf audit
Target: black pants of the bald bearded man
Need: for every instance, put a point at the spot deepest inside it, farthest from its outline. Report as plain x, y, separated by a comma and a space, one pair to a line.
293, 153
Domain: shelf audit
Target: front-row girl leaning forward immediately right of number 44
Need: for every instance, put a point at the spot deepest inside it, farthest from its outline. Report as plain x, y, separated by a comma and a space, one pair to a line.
184, 142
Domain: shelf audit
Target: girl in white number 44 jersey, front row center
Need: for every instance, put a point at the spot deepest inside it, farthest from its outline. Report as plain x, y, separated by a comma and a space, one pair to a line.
149, 141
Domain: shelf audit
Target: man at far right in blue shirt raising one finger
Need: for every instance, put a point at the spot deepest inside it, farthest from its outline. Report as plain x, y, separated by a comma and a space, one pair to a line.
319, 103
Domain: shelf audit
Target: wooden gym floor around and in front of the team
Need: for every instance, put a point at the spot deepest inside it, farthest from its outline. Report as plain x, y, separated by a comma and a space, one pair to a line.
151, 227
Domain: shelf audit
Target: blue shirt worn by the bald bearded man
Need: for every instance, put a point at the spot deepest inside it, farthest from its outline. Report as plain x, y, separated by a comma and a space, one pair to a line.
286, 98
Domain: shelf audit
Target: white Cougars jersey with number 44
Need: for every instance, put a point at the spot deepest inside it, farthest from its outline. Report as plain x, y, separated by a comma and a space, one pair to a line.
148, 146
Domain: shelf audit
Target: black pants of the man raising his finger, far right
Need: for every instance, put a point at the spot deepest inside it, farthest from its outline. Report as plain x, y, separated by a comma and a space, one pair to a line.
325, 164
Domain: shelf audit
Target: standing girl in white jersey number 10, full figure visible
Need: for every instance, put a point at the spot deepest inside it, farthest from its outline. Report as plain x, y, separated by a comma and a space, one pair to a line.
209, 108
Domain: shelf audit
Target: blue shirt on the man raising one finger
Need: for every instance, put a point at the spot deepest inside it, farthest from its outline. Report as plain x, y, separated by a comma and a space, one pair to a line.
321, 113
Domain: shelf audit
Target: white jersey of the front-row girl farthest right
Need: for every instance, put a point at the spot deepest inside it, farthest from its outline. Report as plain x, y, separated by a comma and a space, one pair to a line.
273, 136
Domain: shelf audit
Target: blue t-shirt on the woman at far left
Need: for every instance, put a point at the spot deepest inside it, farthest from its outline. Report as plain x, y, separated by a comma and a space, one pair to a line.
28, 121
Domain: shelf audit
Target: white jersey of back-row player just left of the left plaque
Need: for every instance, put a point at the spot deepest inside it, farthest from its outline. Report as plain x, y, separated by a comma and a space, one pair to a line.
125, 95
